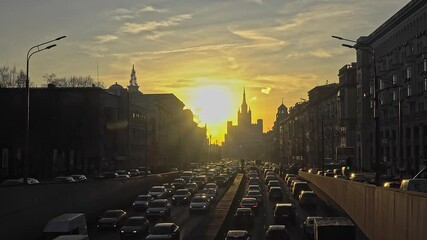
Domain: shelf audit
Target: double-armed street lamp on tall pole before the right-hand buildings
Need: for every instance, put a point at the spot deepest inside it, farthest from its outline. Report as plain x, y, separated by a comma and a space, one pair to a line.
377, 141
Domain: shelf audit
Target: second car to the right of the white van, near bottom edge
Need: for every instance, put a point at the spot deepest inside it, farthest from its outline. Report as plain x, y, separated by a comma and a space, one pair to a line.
134, 228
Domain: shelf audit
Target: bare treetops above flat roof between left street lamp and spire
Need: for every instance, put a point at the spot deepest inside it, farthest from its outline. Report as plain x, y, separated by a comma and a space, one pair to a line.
73, 81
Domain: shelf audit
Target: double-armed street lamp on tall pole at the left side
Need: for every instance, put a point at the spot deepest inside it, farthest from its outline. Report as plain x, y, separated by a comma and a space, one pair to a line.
38, 48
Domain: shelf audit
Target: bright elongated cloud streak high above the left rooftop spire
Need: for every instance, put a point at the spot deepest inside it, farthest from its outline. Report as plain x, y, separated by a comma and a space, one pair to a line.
135, 28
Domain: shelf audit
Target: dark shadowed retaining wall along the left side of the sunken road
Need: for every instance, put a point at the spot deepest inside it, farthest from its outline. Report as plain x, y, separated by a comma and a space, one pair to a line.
25, 210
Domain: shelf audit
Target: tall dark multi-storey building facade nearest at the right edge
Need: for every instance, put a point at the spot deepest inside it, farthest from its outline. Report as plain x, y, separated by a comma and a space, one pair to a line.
398, 52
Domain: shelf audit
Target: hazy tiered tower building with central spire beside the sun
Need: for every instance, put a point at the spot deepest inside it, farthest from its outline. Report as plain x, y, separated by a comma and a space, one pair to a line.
244, 140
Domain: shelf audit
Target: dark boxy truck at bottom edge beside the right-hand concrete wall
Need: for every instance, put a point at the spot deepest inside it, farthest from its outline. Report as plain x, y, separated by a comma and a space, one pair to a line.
334, 228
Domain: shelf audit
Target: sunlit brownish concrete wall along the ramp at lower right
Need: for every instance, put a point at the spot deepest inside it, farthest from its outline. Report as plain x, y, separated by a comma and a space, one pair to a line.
381, 213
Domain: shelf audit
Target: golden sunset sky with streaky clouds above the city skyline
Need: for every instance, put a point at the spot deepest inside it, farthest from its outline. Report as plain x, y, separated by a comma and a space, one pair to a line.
203, 51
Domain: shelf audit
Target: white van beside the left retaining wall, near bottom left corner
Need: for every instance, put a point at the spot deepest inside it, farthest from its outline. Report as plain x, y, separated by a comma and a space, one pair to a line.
66, 224
